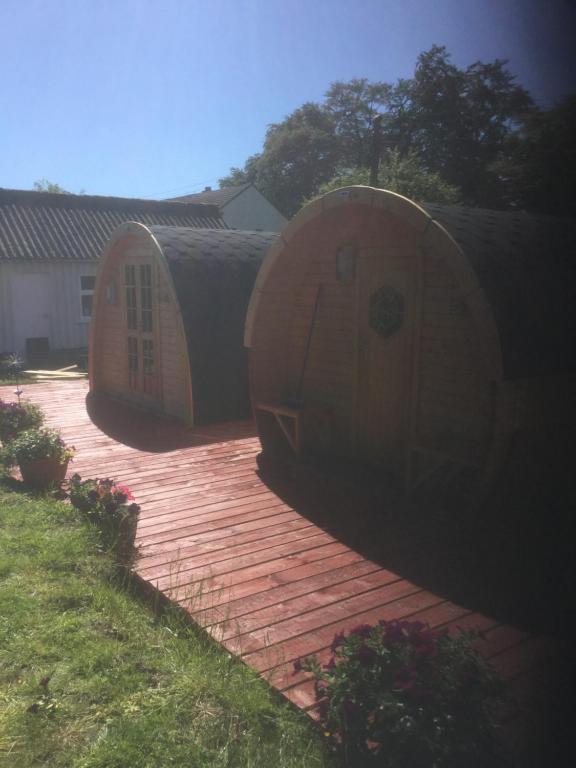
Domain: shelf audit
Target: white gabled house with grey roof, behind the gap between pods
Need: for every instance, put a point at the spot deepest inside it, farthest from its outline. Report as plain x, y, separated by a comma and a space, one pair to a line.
241, 207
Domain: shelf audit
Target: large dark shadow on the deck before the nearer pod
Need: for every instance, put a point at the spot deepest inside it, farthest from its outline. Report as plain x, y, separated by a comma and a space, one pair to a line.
507, 553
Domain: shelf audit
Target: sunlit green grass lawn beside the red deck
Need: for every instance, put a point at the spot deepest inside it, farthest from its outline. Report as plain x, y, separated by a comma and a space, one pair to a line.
91, 677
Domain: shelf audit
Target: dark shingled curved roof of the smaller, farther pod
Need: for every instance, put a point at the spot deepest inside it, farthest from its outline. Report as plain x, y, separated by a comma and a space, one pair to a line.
214, 272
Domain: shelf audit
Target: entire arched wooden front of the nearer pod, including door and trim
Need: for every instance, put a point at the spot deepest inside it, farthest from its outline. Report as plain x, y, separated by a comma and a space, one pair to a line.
436, 378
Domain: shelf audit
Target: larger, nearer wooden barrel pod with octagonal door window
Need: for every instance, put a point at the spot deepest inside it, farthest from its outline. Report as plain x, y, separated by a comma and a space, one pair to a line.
410, 335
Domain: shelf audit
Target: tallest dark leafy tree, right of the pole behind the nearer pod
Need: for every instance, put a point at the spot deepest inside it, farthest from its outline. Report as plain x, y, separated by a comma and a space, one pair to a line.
458, 121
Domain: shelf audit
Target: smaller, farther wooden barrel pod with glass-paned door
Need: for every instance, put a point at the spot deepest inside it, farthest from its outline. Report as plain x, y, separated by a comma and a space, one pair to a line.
168, 317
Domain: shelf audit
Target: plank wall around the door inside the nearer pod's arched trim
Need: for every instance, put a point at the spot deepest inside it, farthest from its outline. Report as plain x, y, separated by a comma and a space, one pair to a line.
453, 406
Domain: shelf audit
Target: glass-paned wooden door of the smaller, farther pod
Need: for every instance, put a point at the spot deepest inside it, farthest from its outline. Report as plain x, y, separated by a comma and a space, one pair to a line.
142, 346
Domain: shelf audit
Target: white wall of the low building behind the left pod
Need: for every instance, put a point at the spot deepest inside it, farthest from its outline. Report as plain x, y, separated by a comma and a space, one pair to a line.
47, 304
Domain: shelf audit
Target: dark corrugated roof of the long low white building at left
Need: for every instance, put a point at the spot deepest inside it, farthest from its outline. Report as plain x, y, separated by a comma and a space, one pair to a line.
43, 226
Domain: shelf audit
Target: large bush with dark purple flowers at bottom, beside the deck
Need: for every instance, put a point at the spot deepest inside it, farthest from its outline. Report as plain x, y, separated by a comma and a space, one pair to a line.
400, 695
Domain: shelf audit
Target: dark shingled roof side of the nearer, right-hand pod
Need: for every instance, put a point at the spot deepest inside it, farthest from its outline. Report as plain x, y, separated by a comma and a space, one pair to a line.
526, 266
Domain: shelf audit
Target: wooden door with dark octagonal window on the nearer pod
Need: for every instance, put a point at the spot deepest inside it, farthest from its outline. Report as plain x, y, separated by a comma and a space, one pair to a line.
385, 289
